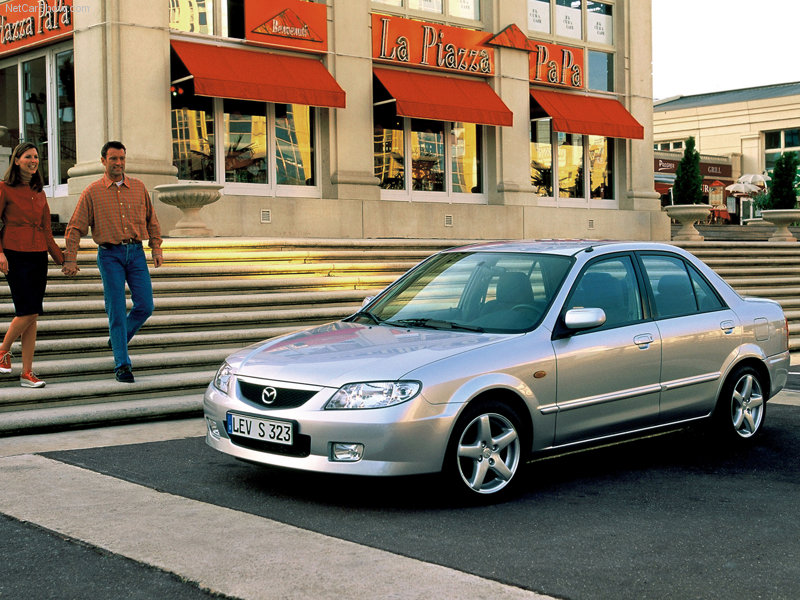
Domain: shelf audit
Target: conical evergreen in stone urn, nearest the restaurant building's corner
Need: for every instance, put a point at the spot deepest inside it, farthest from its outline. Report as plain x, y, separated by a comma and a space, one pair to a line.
687, 195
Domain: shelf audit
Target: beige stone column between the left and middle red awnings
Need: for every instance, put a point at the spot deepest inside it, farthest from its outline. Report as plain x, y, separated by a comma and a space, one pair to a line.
350, 132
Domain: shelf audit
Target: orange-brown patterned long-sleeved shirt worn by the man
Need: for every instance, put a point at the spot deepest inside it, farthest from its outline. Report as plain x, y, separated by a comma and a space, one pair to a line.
116, 213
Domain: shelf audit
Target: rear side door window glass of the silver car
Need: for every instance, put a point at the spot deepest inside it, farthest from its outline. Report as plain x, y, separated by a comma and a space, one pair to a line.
673, 287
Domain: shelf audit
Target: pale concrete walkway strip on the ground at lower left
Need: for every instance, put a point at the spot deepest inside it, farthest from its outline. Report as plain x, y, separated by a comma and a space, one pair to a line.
255, 558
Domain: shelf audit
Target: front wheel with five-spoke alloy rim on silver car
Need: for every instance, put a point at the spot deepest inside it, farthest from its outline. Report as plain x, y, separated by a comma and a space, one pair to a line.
486, 451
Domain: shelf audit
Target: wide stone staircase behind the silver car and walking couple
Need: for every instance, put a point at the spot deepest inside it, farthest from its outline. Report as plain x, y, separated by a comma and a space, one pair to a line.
216, 295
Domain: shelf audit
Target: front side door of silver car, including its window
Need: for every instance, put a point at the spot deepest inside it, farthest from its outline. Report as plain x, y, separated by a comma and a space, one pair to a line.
608, 377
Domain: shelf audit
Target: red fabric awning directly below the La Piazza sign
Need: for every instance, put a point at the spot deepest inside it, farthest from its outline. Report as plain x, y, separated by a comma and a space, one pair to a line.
443, 98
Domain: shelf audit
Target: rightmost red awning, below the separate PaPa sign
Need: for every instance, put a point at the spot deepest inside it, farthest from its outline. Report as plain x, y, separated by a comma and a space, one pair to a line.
573, 113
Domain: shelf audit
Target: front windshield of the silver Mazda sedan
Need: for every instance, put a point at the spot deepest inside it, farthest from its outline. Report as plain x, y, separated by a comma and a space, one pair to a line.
472, 291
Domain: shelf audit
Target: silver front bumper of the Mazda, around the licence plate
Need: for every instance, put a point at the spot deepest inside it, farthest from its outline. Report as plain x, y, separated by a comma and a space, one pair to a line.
406, 439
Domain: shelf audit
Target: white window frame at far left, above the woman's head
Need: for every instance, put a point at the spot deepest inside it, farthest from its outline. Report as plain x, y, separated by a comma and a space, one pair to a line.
50, 54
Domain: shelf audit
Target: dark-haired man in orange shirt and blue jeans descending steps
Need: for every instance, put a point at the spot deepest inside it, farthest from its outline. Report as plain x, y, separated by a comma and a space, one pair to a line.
121, 215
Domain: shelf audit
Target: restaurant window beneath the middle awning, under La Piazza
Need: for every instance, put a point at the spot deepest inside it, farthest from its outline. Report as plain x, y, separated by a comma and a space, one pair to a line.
414, 156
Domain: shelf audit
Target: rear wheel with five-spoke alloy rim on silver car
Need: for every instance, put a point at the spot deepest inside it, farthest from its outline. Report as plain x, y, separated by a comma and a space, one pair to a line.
741, 407
